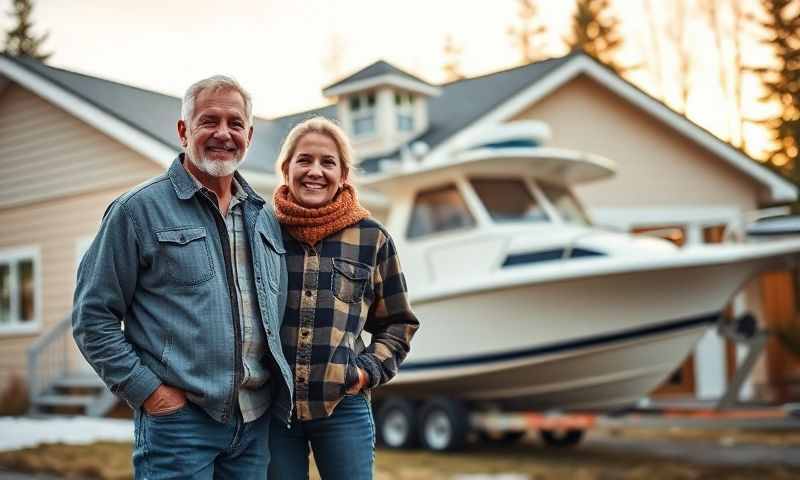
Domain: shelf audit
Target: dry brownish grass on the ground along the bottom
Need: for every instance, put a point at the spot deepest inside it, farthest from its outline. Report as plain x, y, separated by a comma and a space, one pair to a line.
112, 461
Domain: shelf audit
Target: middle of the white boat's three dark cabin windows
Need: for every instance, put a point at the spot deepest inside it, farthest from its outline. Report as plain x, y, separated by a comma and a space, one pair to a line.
508, 200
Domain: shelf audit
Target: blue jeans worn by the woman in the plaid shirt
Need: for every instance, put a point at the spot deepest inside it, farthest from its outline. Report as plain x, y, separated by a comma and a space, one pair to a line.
343, 444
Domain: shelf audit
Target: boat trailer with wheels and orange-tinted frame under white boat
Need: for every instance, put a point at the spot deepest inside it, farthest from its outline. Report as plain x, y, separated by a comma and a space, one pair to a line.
444, 424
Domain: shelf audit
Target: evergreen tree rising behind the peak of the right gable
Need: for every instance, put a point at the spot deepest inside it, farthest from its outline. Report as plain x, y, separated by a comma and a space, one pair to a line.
595, 31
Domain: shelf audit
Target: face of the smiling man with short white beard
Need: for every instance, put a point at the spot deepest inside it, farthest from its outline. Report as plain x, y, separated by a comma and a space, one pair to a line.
217, 136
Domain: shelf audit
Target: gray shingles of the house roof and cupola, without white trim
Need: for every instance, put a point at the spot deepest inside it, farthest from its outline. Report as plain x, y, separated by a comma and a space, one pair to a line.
460, 103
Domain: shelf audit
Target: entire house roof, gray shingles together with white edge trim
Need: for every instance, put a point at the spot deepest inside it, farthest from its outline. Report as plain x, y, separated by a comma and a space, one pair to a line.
462, 105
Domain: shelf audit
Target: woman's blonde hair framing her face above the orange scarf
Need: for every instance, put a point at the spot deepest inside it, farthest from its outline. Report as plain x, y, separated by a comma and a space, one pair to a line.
322, 126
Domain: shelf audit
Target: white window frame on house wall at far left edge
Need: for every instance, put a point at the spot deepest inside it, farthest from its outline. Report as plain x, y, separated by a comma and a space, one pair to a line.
12, 257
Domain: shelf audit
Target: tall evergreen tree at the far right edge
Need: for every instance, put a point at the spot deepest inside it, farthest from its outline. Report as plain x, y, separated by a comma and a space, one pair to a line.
782, 83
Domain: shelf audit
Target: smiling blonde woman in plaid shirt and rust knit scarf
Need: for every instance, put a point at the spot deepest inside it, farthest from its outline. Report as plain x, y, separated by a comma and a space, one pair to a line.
344, 277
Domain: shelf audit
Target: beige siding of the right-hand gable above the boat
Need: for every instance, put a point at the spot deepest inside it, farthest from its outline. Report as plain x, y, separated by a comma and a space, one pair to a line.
656, 165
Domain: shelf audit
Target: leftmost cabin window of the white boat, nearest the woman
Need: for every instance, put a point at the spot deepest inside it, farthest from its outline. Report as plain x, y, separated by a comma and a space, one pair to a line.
439, 210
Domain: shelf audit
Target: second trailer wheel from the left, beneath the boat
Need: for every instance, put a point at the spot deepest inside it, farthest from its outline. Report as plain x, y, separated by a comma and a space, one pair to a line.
443, 424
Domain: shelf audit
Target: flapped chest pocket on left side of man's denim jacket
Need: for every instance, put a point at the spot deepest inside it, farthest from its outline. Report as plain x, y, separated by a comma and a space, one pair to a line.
186, 255
